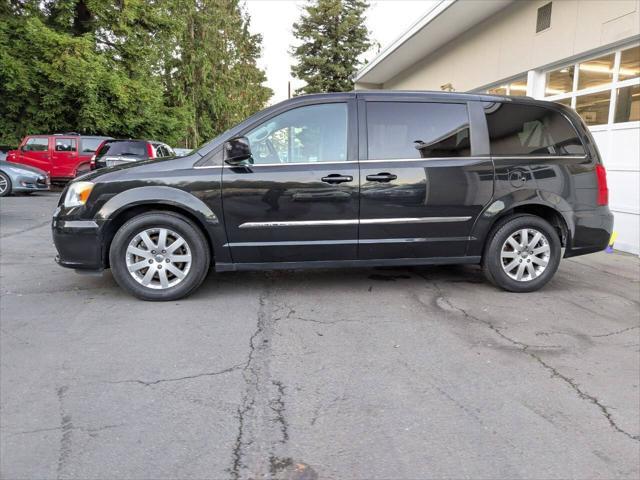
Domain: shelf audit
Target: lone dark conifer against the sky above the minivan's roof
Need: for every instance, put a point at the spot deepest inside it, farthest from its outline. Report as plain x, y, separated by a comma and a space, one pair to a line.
332, 37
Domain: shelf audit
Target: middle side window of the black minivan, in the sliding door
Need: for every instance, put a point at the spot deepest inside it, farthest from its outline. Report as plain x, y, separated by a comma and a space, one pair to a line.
417, 130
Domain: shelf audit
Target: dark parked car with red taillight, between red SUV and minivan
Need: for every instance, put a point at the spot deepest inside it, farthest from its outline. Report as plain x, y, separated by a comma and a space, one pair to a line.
116, 152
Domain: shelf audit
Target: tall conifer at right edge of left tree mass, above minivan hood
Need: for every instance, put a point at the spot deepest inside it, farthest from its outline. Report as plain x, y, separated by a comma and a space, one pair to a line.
212, 72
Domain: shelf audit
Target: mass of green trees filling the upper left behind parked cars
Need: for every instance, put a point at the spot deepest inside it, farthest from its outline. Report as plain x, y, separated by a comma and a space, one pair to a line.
181, 71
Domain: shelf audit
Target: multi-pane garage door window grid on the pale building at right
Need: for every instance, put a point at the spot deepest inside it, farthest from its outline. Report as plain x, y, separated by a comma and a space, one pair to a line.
603, 89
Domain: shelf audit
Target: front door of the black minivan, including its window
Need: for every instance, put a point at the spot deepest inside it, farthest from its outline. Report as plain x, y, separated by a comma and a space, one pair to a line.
297, 199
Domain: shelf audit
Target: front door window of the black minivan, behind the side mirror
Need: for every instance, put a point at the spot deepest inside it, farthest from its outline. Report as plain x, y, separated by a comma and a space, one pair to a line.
315, 133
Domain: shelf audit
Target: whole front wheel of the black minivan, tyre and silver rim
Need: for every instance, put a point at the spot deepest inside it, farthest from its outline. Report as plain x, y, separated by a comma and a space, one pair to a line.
159, 256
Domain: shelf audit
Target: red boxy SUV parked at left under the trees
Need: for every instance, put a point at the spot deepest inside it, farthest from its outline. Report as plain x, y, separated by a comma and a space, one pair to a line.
63, 156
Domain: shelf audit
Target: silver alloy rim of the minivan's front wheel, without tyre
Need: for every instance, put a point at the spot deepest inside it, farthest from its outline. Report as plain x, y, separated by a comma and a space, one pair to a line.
158, 258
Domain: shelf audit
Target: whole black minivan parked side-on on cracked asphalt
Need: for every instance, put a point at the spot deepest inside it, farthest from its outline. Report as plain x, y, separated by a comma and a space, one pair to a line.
350, 179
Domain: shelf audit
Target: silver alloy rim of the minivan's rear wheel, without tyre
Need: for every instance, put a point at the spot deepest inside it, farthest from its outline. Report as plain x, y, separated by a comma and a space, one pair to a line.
525, 254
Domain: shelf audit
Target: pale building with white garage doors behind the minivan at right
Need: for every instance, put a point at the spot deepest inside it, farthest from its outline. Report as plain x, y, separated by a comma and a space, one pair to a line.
582, 53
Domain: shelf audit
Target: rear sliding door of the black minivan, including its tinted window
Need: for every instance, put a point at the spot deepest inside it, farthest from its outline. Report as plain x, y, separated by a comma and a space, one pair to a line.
421, 188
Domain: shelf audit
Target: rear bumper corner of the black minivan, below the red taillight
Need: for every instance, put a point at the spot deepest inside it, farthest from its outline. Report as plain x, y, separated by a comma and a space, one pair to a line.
591, 231
